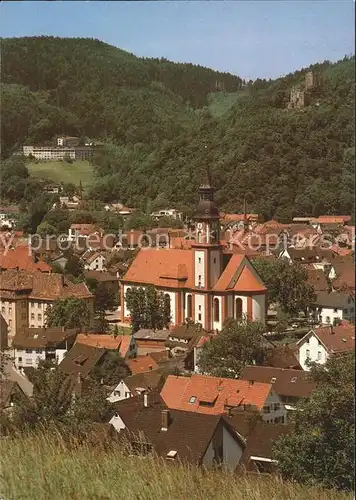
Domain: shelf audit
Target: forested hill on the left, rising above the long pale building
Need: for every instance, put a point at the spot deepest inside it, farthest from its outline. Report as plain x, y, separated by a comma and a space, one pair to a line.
91, 88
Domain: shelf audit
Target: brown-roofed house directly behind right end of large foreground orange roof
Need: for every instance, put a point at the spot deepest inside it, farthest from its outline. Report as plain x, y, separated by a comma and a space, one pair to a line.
290, 385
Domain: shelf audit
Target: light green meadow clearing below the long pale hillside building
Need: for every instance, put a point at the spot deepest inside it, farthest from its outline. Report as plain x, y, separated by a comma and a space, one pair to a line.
58, 171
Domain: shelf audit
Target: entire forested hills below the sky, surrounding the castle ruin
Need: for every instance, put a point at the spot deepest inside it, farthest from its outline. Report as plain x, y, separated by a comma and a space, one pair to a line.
164, 122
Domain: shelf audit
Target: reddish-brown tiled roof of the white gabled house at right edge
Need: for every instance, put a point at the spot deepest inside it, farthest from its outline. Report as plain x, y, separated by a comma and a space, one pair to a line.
336, 339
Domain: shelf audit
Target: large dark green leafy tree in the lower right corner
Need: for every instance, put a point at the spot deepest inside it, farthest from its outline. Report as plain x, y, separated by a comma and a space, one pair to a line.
321, 447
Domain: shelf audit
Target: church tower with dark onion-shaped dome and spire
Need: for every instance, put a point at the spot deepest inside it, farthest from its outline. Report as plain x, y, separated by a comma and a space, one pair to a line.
207, 250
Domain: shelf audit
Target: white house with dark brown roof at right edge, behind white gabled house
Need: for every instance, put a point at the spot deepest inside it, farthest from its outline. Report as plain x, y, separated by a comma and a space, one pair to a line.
332, 307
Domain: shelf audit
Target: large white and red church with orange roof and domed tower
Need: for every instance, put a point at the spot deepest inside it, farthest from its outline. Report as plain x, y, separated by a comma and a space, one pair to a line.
204, 284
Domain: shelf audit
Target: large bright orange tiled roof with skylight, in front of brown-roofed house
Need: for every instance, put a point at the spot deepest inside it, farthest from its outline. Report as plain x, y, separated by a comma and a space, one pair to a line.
190, 394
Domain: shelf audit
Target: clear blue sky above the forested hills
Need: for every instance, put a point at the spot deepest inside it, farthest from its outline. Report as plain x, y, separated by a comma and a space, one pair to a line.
252, 39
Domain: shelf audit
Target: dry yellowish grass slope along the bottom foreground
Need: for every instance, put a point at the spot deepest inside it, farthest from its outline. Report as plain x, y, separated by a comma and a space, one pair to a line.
42, 468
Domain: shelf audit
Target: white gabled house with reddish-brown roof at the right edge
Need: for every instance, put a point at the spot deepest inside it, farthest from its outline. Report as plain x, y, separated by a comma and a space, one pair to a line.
321, 343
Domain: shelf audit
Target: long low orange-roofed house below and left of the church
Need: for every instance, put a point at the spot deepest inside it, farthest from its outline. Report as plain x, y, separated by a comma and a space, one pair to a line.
123, 344
